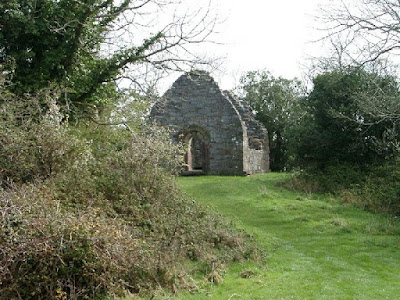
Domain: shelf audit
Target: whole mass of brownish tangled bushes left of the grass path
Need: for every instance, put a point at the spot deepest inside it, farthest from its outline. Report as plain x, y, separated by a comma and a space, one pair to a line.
95, 211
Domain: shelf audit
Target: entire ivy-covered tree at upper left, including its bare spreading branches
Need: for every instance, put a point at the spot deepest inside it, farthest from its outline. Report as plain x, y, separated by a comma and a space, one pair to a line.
85, 46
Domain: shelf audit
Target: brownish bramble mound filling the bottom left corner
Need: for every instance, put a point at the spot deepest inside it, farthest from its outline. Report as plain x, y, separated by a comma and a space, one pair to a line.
48, 251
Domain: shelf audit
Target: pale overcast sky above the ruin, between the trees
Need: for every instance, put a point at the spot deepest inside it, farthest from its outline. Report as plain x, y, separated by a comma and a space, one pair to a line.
262, 34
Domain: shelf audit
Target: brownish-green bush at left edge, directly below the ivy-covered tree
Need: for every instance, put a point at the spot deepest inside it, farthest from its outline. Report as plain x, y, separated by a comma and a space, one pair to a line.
34, 141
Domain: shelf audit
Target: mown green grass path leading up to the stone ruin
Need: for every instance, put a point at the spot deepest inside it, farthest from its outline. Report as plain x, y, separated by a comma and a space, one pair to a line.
316, 247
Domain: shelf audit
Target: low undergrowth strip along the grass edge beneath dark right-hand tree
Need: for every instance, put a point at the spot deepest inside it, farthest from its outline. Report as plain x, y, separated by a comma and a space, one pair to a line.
375, 188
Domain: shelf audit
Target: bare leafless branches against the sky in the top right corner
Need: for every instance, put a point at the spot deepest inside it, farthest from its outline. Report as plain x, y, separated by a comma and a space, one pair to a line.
372, 27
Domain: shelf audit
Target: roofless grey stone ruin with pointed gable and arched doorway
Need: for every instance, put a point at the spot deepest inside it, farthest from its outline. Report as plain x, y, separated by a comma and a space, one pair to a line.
220, 132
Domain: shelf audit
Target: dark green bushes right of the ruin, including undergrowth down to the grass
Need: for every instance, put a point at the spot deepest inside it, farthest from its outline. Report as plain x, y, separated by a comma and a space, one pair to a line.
345, 144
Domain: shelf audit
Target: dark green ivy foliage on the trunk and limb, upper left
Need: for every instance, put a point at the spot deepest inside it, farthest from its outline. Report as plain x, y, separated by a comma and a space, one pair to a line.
59, 43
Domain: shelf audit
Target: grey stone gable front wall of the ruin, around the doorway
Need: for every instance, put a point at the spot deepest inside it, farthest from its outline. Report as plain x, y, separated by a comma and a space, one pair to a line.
195, 101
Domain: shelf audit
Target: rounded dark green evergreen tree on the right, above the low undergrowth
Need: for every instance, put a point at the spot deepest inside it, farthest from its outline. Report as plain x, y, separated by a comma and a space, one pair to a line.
337, 130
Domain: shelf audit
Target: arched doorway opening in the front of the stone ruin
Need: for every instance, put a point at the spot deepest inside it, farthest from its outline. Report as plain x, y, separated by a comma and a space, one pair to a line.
197, 157
